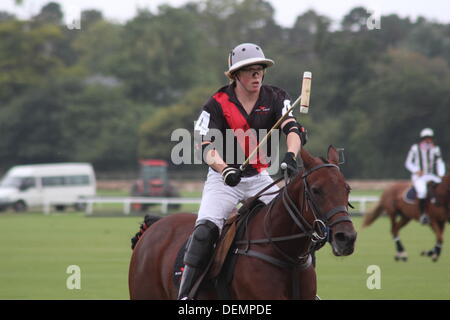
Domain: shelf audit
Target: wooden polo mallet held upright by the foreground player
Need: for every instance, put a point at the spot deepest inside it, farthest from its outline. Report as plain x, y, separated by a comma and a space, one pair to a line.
303, 99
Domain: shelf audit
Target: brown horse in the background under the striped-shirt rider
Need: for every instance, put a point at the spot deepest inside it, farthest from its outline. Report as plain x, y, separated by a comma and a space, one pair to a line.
401, 212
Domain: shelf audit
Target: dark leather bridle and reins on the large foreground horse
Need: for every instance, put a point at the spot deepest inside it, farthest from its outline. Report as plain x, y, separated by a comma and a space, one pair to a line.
317, 232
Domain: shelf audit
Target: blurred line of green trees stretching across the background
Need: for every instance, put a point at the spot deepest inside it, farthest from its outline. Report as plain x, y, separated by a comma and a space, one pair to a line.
110, 93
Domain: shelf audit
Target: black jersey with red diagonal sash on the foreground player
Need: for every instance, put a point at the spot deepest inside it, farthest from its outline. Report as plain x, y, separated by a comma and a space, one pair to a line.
223, 111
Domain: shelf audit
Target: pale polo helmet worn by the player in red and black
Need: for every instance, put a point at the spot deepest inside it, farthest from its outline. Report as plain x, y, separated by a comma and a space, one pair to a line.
246, 54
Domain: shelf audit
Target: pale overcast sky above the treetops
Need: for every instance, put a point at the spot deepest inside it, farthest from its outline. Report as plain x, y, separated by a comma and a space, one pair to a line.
286, 11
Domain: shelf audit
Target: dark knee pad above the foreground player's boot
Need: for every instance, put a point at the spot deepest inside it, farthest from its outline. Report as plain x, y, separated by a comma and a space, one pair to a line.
201, 244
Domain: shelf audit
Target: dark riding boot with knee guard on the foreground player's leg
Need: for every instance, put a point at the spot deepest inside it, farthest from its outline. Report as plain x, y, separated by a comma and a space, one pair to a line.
200, 248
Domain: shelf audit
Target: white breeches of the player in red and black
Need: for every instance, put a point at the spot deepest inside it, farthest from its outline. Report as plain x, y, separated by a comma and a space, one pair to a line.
218, 199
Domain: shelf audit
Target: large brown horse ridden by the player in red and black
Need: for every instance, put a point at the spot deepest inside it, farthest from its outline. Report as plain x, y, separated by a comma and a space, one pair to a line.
290, 224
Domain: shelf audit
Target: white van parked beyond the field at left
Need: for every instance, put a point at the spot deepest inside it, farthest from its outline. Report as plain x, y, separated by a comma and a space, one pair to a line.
34, 185
